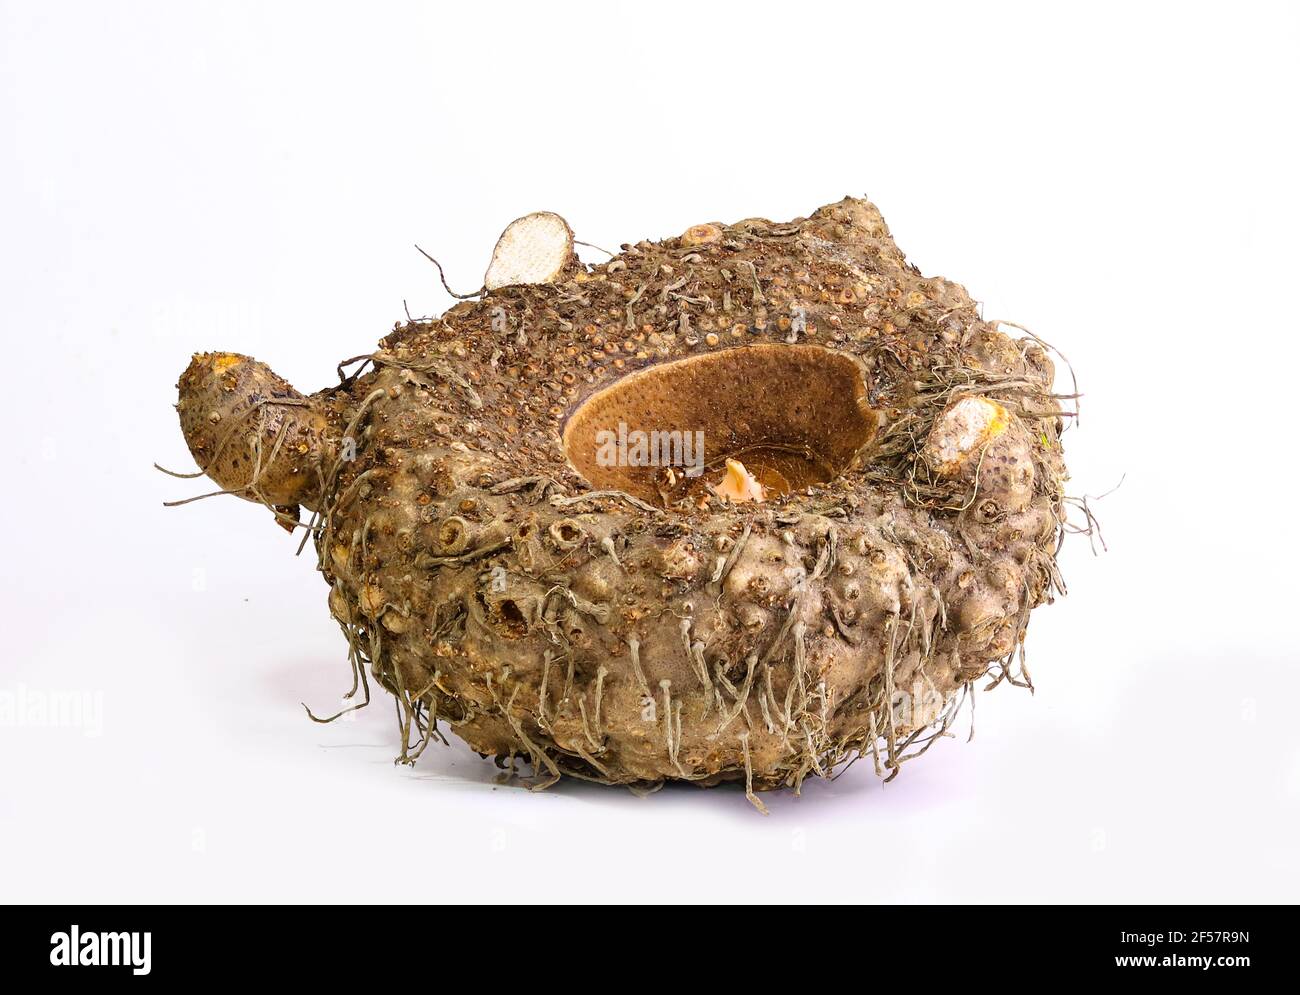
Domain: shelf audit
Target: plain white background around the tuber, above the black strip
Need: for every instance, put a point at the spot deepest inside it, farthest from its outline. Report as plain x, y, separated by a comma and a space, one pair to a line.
252, 178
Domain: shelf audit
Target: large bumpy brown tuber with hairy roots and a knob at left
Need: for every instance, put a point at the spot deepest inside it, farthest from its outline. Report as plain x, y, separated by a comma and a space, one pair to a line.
622, 626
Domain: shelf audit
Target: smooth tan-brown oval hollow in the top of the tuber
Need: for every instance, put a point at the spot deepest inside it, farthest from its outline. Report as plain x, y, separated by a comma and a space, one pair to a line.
794, 416
